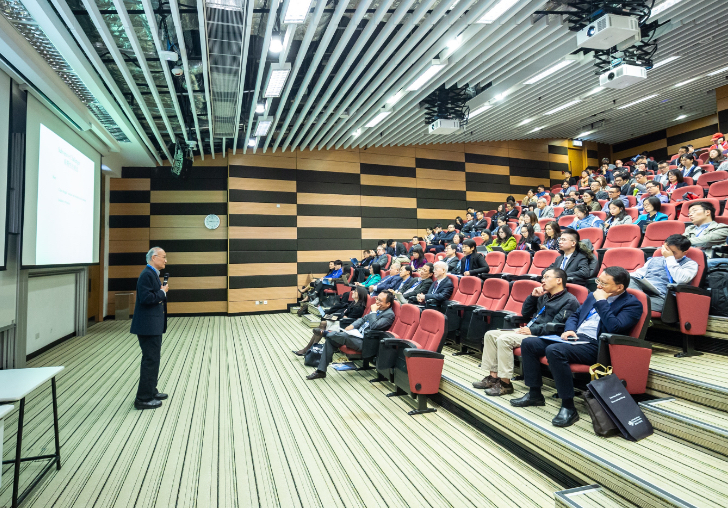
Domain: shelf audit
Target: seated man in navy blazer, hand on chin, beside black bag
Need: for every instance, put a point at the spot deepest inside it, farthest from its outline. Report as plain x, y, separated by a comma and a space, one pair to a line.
609, 309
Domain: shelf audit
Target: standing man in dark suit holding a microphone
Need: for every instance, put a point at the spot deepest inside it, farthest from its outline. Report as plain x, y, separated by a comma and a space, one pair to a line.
149, 323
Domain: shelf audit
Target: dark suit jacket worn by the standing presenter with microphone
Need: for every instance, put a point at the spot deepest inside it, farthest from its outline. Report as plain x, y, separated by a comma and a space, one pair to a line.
150, 310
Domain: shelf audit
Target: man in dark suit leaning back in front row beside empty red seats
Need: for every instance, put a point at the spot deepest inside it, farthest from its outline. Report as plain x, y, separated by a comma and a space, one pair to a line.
380, 317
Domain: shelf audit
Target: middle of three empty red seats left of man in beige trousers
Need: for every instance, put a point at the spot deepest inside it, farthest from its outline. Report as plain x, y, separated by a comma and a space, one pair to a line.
471, 329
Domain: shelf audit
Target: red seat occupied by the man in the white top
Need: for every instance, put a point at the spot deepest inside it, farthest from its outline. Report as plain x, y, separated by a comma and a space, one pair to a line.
692, 305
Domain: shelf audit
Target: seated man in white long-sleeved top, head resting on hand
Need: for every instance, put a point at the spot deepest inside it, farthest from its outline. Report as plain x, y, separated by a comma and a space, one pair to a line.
673, 267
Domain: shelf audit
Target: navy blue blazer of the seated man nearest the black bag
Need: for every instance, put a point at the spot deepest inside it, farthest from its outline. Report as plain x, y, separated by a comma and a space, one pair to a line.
618, 317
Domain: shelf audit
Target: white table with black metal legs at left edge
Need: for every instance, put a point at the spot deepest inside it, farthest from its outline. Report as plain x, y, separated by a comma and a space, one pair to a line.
15, 385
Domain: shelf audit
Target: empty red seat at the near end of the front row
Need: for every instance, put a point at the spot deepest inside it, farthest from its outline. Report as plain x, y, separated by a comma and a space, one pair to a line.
420, 372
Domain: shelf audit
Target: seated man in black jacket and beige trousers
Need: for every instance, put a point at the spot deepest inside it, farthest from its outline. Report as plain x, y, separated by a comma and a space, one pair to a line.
548, 303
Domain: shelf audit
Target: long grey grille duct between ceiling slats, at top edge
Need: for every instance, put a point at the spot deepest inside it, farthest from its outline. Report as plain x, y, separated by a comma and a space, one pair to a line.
225, 26
